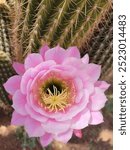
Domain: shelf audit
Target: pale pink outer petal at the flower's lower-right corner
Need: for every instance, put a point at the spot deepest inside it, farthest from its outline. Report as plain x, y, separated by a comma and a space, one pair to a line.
96, 118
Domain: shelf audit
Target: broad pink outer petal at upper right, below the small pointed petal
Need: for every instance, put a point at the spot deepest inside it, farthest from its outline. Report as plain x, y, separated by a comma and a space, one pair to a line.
93, 71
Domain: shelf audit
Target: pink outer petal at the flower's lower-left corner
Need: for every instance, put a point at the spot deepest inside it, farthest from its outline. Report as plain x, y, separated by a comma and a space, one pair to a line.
17, 119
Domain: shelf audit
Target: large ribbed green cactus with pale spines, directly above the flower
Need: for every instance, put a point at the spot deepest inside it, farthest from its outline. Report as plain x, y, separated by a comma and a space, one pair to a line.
63, 22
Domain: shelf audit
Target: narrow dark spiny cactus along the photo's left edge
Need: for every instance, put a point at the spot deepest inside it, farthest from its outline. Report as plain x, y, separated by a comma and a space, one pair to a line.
6, 70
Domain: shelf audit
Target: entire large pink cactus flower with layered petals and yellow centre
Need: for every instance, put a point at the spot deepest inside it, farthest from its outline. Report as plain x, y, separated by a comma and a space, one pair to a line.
56, 93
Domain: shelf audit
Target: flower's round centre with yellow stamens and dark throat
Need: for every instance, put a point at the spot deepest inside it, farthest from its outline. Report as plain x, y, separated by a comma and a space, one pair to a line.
55, 95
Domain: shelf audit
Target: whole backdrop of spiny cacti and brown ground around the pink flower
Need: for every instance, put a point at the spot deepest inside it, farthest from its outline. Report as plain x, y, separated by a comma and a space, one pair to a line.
26, 25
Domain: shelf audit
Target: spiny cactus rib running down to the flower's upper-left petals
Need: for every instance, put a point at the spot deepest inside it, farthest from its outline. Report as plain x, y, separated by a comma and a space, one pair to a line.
39, 25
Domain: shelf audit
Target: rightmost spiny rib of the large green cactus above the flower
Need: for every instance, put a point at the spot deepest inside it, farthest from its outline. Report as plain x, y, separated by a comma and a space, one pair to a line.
94, 17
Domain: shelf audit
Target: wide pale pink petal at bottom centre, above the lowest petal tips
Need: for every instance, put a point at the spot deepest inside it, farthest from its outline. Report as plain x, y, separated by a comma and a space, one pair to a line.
52, 126
